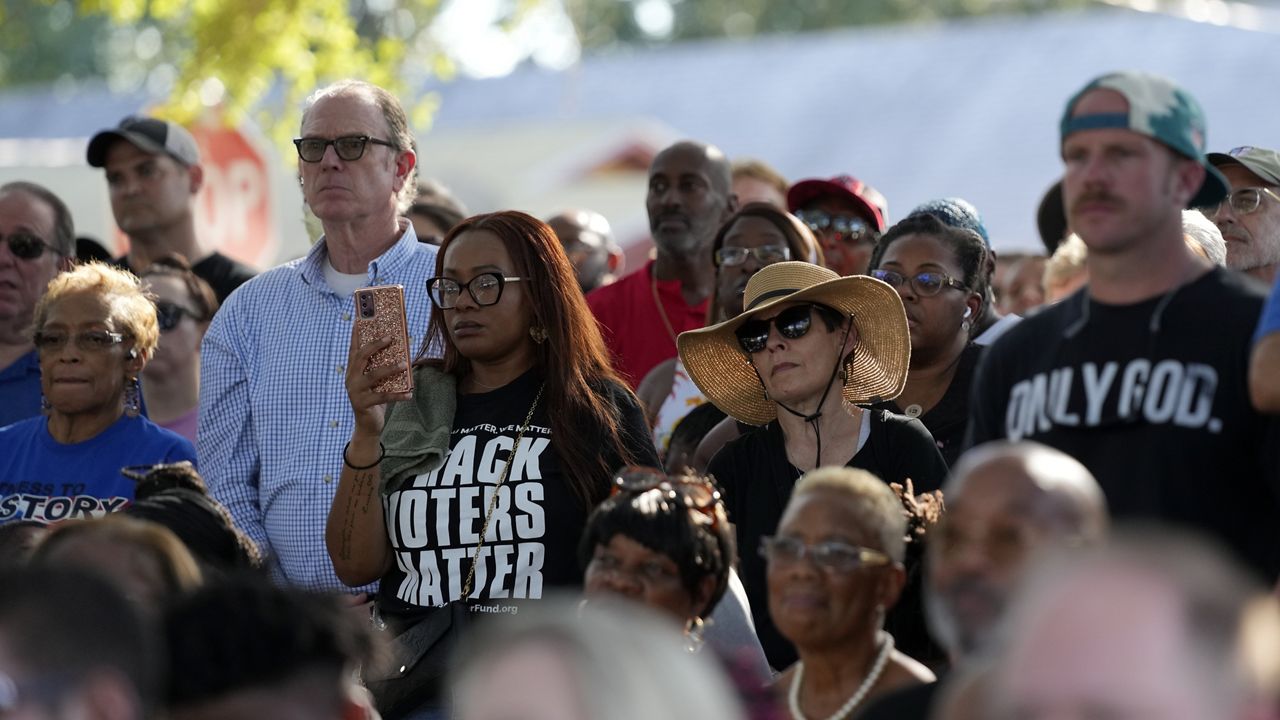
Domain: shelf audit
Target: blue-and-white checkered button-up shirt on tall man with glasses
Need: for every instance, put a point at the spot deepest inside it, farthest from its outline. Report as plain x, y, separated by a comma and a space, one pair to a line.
275, 413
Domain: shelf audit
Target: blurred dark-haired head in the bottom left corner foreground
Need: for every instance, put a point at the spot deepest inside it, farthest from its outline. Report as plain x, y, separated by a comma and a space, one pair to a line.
72, 648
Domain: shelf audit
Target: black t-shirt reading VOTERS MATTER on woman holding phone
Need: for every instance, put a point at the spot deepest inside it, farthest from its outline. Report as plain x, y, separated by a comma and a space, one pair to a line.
436, 520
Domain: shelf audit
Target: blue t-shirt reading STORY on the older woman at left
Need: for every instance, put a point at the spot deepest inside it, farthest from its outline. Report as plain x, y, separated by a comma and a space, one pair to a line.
47, 481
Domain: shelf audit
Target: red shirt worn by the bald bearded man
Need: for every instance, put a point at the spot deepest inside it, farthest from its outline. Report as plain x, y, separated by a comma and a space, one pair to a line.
633, 327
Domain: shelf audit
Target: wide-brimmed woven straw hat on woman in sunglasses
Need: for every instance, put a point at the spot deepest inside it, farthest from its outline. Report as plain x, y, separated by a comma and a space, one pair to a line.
724, 372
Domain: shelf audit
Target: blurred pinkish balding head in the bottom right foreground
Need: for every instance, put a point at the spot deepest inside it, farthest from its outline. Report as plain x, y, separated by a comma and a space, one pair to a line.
1144, 627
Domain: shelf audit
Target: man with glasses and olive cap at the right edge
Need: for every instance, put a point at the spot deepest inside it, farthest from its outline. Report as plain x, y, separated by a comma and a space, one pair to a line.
1250, 216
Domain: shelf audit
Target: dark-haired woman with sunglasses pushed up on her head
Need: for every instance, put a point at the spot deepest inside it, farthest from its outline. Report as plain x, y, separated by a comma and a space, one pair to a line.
665, 541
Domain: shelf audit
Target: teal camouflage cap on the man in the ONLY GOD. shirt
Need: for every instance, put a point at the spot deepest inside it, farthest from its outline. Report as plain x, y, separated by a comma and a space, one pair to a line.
1160, 111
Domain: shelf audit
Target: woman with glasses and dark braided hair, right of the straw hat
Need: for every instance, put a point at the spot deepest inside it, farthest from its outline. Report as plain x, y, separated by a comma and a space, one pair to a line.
938, 270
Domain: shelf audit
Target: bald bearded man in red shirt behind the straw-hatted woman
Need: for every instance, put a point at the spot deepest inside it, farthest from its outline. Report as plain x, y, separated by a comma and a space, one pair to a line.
642, 315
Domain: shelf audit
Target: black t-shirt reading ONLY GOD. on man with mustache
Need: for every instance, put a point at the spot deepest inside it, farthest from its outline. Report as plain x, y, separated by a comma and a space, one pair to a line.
1153, 399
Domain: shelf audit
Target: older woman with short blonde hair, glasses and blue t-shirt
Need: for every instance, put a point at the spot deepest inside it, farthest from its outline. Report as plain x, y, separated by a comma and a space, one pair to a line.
95, 330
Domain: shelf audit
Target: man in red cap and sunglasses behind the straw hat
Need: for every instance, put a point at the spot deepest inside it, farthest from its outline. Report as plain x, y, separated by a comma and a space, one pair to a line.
847, 216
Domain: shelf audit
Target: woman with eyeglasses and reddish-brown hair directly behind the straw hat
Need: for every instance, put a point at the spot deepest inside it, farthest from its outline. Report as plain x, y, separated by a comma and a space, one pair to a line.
755, 238
